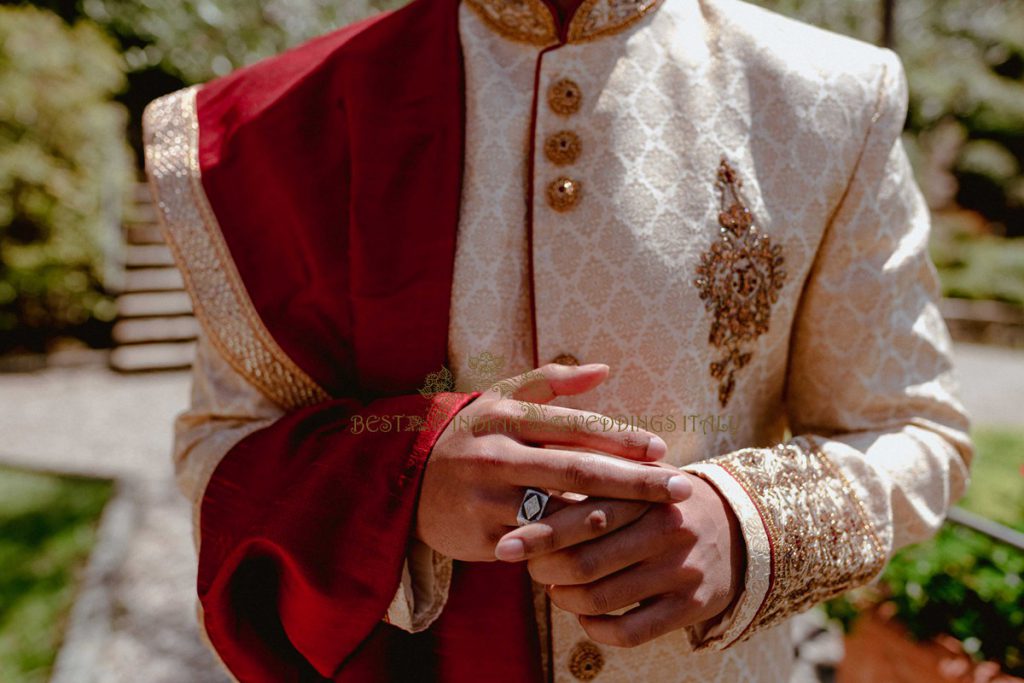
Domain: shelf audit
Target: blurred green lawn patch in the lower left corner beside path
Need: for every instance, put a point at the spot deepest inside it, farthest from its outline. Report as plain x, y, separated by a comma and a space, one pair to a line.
48, 529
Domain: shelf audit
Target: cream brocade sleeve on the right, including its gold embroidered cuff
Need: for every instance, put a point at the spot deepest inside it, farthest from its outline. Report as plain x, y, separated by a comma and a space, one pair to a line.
880, 448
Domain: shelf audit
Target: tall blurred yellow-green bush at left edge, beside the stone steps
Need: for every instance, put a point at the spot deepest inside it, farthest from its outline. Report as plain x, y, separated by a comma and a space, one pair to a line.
64, 169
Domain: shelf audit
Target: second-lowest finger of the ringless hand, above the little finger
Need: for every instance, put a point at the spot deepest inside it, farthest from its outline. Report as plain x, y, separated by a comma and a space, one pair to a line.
623, 589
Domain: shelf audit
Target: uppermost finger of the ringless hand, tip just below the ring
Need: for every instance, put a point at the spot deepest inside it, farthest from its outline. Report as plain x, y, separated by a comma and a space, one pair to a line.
574, 524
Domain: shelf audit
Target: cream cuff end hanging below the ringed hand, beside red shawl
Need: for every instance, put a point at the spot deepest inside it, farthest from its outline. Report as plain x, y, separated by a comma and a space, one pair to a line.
426, 578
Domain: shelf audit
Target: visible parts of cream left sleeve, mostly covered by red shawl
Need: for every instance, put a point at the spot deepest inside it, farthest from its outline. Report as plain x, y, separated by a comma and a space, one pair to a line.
225, 409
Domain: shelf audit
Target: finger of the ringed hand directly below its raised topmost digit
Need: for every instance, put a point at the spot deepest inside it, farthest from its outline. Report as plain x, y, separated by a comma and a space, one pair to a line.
566, 426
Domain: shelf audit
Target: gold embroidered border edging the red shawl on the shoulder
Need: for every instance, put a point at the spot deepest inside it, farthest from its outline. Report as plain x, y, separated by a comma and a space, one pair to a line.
220, 298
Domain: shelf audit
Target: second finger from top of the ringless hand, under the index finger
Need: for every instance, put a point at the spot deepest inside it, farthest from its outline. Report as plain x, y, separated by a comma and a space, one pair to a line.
659, 531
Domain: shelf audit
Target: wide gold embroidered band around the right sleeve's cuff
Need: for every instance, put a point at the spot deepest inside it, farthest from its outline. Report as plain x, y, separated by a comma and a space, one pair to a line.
823, 542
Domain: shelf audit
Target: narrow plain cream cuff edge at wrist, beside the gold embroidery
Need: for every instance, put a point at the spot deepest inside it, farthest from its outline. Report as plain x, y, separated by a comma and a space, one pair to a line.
757, 577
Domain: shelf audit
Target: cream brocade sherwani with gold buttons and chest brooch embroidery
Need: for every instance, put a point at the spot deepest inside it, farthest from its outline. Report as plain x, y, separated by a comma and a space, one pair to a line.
718, 206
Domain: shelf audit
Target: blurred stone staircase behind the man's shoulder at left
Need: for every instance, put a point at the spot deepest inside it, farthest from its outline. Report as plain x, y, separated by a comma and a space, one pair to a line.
155, 329
